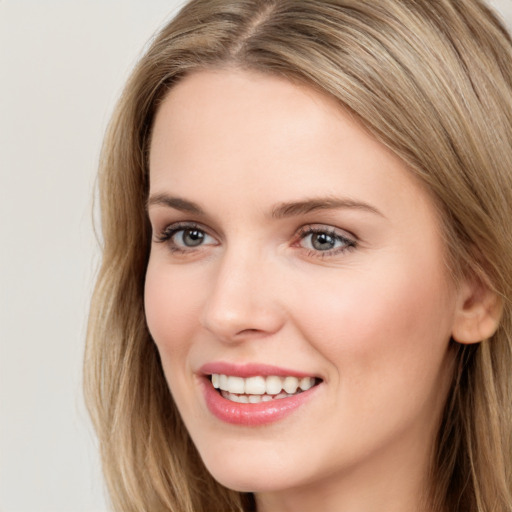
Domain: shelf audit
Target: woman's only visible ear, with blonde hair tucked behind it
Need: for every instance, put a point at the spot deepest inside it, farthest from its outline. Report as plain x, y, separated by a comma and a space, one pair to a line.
478, 312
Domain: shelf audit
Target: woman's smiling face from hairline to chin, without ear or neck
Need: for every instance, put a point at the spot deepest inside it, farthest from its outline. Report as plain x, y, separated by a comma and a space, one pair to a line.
291, 248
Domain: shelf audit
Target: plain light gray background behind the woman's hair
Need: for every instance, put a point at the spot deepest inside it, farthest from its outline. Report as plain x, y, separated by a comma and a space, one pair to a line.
62, 66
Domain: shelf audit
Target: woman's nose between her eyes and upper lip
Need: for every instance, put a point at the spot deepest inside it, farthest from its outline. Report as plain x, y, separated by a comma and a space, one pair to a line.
244, 300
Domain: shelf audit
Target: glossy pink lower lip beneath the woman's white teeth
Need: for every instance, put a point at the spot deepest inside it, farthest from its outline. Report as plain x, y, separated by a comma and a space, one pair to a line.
252, 414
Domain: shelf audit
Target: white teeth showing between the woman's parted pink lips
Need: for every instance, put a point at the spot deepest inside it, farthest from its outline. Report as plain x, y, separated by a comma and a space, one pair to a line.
260, 389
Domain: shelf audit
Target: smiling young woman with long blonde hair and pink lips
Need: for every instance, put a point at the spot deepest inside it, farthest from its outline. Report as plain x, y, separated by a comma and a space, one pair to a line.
305, 295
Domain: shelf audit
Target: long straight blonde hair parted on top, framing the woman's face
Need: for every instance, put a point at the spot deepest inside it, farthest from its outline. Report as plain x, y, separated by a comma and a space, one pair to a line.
431, 79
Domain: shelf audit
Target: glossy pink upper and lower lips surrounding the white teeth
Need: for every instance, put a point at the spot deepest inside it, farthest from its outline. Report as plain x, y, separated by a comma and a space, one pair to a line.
250, 414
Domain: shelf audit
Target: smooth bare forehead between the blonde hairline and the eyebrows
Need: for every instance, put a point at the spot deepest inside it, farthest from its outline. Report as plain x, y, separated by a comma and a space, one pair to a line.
271, 141
